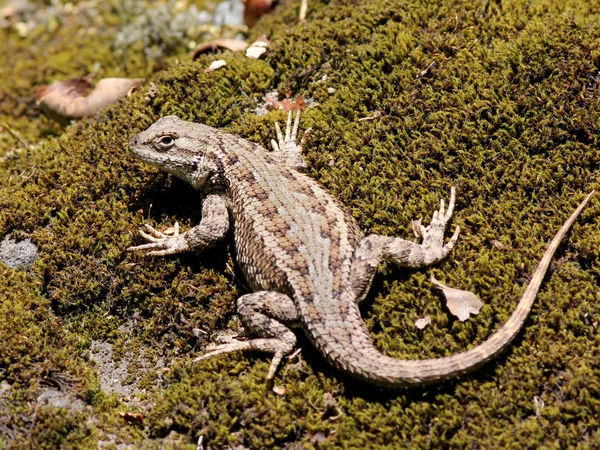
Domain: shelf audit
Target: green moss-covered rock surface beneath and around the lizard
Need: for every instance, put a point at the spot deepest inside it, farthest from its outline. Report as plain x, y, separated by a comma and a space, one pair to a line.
500, 99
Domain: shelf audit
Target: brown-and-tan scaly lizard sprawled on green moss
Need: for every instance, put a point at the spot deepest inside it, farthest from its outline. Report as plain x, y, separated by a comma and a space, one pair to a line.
305, 259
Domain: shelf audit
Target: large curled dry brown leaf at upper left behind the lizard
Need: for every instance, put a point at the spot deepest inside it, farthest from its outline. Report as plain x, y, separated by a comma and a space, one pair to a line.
74, 98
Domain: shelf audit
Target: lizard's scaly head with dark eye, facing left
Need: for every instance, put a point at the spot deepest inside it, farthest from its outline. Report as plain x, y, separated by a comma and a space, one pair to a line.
175, 146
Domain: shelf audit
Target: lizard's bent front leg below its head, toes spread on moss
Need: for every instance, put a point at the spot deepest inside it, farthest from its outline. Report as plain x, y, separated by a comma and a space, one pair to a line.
212, 229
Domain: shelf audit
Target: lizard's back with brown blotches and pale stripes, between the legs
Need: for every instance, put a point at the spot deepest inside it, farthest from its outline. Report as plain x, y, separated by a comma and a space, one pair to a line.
291, 235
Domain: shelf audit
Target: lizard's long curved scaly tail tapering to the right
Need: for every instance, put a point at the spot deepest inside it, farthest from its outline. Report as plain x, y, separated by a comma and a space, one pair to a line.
350, 349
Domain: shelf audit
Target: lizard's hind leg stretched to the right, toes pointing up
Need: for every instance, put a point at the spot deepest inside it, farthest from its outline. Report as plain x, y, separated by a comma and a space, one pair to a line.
374, 247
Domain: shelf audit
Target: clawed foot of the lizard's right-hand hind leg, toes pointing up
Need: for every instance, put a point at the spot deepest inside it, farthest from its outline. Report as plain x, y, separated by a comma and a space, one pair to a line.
433, 235
